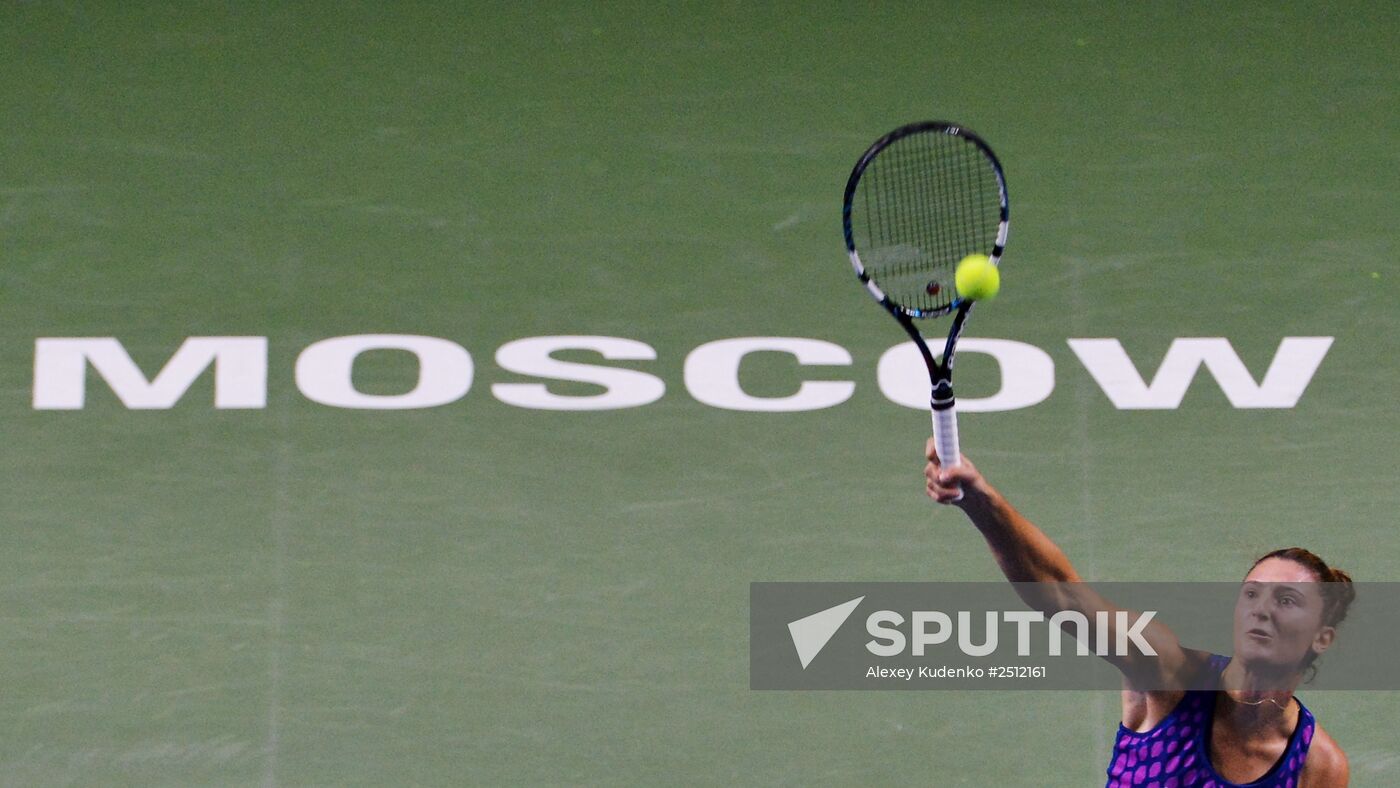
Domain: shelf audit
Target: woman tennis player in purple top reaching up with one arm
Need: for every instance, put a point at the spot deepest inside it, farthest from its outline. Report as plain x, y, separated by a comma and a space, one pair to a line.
1252, 731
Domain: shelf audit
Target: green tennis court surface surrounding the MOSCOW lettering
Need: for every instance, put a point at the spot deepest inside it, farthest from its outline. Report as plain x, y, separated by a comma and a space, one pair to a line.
485, 594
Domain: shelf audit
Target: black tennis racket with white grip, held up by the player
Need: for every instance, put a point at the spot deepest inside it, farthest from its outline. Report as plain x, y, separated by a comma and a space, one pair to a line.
922, 199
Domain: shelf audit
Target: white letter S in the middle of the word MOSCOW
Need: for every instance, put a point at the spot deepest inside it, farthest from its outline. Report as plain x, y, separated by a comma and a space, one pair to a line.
622, 388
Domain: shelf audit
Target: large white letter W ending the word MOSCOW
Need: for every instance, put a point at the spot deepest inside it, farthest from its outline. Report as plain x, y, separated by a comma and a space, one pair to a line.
1290, 373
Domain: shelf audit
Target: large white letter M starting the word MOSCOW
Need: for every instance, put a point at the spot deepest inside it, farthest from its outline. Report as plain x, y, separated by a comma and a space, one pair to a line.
240, 373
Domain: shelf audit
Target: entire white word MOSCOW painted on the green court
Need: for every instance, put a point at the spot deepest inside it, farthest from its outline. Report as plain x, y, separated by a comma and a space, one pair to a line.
323, 372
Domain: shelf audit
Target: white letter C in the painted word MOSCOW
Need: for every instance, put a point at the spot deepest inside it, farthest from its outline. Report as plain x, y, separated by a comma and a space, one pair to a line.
712, 374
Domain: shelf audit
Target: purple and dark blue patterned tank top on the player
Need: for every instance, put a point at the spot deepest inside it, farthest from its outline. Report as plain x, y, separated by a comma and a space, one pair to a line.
1177, 754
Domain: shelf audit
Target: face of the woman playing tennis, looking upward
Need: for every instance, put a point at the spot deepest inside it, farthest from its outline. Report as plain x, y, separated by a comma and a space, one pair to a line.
1279, 617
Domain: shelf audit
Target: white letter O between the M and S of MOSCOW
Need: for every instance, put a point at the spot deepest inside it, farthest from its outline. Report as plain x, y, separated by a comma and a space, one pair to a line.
324, 372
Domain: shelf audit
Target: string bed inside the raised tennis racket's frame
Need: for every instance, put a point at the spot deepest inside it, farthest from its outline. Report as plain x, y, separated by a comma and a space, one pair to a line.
929, 201
